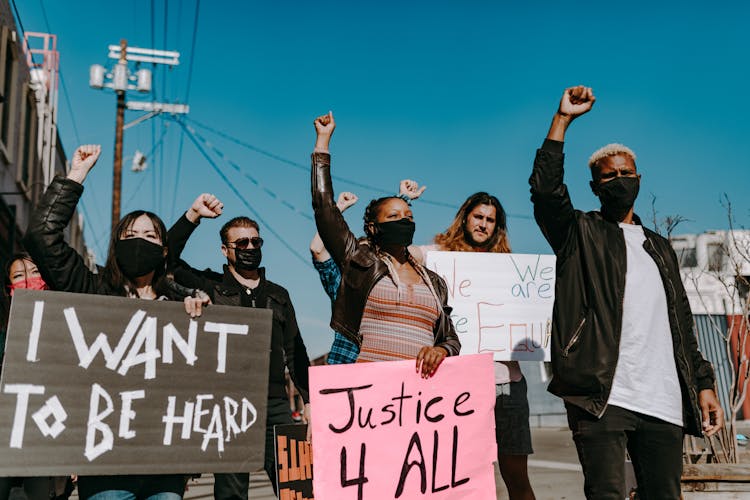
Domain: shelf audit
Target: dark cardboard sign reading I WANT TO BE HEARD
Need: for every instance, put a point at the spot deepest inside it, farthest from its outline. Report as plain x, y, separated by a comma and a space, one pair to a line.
105, 385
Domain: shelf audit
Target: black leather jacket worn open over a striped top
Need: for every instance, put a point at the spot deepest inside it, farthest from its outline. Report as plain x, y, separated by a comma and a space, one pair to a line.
360, 266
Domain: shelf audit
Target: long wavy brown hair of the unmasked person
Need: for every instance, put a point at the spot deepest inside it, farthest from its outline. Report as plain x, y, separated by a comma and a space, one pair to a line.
454, 238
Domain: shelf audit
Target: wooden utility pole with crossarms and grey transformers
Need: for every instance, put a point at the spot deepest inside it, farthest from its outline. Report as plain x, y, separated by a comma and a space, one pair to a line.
120, 77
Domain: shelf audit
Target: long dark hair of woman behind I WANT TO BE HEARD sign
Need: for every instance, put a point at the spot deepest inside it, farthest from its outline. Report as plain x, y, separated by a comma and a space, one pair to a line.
112, 273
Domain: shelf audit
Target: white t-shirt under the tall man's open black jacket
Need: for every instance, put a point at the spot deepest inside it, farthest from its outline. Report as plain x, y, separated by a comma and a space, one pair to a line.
646, 375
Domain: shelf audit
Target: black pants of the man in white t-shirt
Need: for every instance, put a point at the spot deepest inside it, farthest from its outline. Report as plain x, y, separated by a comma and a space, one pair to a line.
655, 448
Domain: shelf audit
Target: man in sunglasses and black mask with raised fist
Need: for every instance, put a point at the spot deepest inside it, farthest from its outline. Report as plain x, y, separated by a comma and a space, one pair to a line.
243, 283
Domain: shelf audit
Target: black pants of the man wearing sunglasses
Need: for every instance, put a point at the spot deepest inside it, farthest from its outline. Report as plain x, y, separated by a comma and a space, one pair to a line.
234, 486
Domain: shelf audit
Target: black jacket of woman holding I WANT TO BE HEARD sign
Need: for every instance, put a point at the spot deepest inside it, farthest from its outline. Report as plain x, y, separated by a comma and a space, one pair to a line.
64, 270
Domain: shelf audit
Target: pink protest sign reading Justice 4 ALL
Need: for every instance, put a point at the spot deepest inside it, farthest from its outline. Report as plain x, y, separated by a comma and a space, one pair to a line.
380, 431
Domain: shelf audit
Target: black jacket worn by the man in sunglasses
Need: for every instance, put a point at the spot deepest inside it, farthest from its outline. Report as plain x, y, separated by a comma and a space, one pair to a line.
287, 347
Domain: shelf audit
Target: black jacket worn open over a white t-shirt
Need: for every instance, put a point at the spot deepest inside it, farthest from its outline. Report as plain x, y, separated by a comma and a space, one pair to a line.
589, 294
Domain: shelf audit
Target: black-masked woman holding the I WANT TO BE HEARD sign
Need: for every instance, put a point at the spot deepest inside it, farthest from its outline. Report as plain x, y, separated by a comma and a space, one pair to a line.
135, 267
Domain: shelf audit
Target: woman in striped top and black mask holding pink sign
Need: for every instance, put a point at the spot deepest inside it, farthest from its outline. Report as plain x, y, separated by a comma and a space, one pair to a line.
388, 304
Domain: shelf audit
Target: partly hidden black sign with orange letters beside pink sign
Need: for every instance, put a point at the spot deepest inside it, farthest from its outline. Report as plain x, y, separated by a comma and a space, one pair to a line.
294, 468
